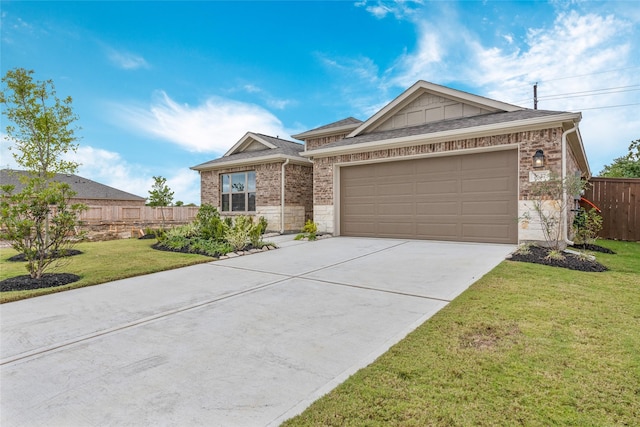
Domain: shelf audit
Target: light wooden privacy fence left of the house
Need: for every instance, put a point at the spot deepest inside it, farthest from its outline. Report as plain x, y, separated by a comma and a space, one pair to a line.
138, 214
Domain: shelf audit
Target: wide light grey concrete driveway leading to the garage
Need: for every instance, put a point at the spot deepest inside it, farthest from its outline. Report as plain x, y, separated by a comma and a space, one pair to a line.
247, 341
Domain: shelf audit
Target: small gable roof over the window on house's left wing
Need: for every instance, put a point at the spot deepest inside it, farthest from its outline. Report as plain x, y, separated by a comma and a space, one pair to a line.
255, 148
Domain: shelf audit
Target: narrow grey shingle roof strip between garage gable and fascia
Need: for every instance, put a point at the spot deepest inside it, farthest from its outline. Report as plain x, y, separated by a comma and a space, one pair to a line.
444, 125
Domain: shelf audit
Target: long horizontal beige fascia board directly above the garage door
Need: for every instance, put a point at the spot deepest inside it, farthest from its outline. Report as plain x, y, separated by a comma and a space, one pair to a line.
436, 137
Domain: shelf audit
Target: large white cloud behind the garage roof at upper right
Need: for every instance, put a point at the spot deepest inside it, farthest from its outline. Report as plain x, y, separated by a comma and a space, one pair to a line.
577, 53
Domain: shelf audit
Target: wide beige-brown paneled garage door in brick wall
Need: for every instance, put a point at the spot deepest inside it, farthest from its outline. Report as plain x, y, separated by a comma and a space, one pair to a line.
468, 198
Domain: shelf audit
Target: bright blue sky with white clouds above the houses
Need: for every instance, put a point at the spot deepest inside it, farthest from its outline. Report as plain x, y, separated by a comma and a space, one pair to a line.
162, 86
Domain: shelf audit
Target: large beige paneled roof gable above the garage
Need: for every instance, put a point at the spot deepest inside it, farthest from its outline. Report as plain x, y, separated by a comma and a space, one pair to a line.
425, 103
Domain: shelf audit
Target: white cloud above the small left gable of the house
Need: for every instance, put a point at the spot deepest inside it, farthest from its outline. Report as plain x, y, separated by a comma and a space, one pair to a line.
212, 126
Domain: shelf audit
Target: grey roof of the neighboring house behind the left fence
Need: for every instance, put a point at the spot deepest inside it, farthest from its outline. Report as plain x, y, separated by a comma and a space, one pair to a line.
84, 188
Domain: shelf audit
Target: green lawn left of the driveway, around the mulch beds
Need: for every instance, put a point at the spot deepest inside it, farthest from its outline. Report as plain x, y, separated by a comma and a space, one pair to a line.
100, 262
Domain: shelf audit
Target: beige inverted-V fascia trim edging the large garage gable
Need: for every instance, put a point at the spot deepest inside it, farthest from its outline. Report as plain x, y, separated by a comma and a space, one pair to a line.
421, 87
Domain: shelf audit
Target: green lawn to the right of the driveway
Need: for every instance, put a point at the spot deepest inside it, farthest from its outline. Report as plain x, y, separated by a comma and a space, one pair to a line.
526, 345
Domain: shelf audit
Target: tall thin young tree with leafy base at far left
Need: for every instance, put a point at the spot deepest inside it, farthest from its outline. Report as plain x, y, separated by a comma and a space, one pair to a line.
42, 131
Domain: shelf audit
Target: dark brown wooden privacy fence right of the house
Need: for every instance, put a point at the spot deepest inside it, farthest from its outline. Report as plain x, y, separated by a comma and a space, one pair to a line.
619, 200
